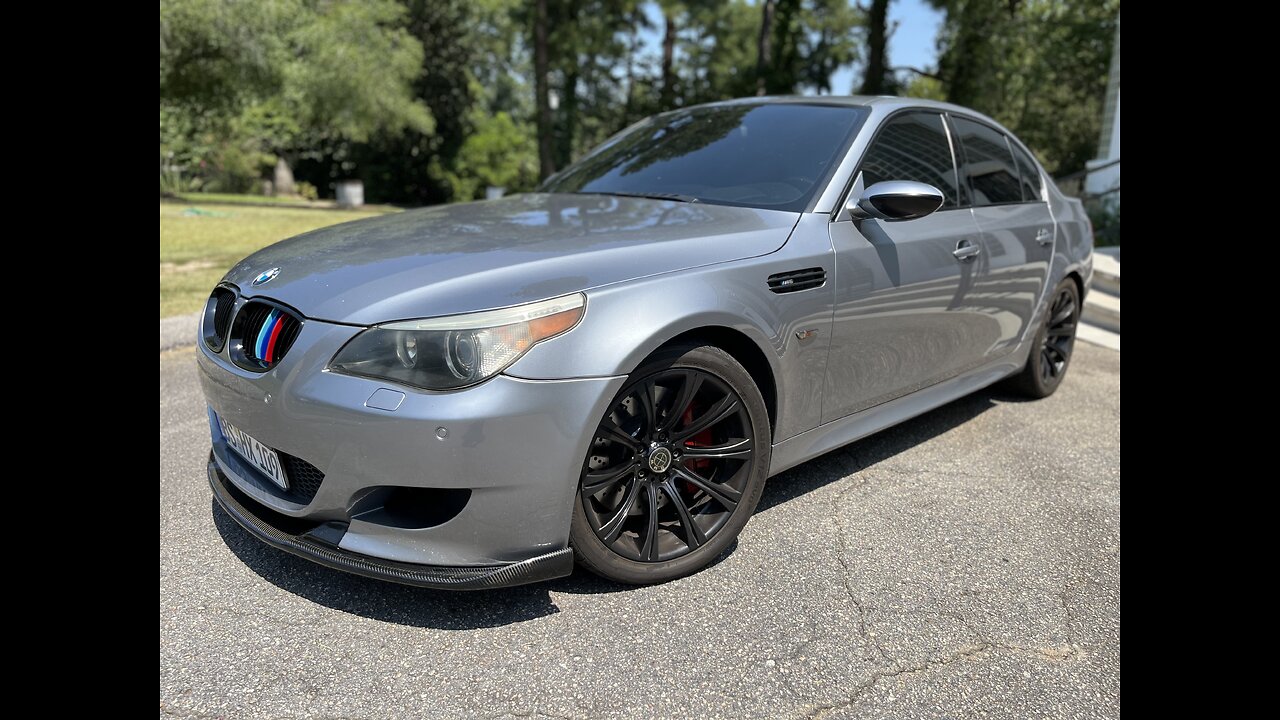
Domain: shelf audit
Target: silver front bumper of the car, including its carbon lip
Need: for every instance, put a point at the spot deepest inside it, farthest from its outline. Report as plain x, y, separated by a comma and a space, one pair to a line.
514, 449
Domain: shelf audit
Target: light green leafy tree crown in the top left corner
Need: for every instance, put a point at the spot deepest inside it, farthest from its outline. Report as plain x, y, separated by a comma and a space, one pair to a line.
285, 76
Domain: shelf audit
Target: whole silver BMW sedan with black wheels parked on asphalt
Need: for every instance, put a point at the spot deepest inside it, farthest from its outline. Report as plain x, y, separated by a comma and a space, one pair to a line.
607, 371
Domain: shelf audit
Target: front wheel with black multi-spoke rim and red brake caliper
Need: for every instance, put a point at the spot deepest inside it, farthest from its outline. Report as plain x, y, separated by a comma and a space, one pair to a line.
675, 470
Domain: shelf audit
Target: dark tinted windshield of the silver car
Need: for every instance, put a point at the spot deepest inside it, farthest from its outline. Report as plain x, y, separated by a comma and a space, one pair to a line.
775, 157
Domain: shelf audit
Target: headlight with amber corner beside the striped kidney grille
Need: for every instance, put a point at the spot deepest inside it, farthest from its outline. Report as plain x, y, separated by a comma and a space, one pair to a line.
460, 350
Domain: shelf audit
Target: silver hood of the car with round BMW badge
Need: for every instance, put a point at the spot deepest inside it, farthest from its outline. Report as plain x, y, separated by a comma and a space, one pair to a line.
482, 256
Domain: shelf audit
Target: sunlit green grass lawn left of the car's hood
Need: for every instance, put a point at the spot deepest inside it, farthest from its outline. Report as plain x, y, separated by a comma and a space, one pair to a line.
200, 244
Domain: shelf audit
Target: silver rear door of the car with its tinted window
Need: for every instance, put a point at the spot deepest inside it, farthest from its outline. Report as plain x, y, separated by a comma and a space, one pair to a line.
1017, 229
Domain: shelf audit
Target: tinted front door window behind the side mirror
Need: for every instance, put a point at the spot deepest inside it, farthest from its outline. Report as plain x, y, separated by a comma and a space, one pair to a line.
913, 148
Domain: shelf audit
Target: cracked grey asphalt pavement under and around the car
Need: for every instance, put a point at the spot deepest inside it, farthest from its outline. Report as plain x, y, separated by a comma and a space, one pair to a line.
966, 564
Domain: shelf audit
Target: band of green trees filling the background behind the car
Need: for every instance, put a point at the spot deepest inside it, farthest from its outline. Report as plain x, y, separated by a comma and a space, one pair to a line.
437, 101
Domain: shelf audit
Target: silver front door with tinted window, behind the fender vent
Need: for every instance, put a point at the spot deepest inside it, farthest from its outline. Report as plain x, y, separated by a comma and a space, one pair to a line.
903, 318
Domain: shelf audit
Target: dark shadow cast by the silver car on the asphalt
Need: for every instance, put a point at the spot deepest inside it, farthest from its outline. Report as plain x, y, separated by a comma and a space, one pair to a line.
446, 610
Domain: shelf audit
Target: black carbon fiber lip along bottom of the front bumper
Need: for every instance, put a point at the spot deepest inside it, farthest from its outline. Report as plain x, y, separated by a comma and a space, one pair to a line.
536, 569
